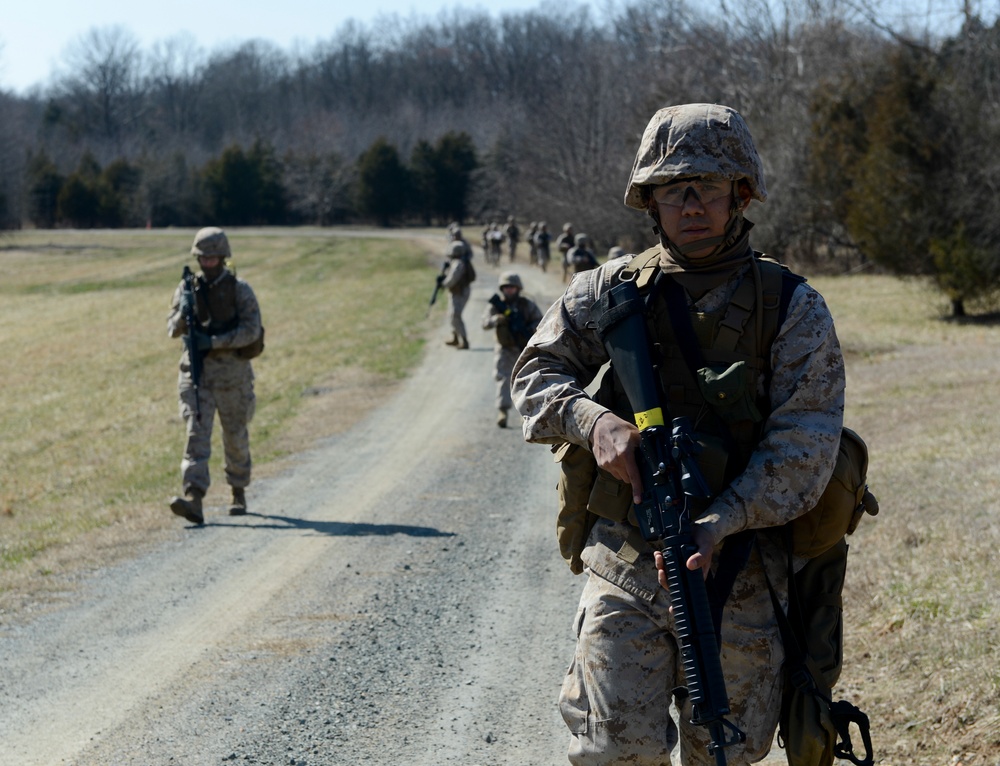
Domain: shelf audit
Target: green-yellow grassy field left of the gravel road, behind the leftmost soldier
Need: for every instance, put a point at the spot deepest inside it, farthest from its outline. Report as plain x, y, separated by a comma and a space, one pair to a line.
92, 437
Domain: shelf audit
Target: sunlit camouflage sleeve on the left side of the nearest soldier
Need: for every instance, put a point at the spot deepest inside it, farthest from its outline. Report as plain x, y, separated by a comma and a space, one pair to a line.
564, 355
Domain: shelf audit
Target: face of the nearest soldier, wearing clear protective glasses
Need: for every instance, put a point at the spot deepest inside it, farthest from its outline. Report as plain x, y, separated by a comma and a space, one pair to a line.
693, 209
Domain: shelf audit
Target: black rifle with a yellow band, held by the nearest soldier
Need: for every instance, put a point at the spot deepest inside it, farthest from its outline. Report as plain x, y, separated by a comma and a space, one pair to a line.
670, 478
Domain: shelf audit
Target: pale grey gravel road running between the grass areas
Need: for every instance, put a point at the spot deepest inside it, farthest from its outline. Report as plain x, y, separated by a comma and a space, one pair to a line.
396, 597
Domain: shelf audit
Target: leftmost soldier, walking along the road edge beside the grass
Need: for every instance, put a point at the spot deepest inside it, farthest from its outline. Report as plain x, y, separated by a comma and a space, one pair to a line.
220, 319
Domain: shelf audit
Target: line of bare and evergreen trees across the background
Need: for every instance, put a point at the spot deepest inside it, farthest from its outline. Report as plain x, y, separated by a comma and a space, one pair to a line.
873, 135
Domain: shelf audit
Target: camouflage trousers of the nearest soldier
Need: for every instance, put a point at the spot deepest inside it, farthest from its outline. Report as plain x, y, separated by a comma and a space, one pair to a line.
617, 695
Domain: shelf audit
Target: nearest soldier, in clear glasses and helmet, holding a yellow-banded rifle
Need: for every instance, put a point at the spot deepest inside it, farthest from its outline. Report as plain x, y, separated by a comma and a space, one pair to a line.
699, 385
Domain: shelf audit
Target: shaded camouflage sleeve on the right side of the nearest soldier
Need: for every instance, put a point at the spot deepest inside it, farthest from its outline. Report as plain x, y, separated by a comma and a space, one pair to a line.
795, 458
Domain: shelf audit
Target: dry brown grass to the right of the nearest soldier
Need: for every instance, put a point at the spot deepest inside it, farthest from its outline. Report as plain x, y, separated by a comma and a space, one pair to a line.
922, 608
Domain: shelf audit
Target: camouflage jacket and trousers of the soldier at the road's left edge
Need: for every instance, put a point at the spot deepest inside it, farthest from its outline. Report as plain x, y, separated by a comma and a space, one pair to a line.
228, 311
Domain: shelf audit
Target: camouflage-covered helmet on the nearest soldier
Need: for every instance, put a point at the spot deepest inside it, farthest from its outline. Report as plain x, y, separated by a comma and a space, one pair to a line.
694, 140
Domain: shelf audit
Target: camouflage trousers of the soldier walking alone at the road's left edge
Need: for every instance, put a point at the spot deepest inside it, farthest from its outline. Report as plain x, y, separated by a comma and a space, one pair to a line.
235, 402
